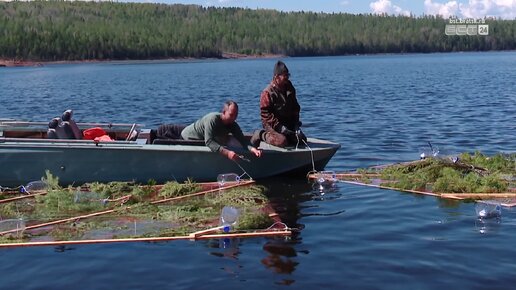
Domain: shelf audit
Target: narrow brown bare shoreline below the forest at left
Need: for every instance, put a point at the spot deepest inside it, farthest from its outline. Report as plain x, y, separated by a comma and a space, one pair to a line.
33, 63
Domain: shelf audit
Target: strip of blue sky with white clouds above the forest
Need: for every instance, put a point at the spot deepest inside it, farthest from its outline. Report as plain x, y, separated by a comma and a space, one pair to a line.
505, 9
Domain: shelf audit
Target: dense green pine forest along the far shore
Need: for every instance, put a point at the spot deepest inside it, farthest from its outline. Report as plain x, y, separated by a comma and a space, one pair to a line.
63, 30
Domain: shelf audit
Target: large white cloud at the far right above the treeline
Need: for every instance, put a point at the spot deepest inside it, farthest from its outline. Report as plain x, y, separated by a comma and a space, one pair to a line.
505, 9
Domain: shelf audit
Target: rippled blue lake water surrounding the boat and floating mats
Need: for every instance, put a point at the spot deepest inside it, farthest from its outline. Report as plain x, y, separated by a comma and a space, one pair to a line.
382, 109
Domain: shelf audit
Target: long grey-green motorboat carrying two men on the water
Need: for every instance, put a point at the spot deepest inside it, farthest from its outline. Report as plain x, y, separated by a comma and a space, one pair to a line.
26, 153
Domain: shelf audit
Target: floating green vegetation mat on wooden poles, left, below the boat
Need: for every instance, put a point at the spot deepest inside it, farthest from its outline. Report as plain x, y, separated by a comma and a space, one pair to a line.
124, 209
